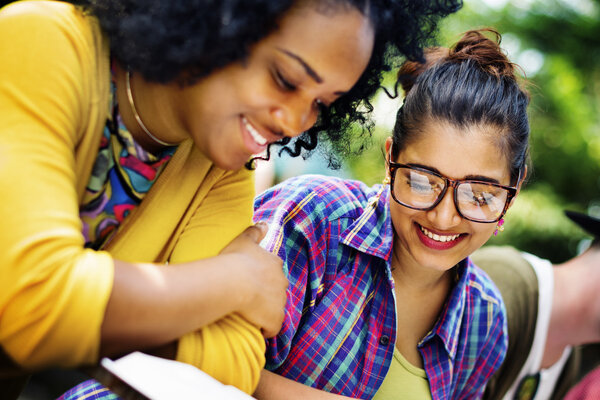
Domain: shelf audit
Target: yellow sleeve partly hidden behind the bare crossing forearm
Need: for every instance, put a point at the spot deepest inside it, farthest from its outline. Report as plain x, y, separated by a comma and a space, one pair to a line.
232, 349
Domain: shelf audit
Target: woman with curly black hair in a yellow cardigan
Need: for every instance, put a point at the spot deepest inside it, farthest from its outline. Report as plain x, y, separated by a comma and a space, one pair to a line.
124, 129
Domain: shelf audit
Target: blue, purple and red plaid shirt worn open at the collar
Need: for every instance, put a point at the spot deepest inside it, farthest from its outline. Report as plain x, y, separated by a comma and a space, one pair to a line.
335, 237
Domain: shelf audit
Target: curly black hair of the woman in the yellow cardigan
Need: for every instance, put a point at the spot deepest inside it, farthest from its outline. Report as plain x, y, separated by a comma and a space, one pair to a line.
165, 40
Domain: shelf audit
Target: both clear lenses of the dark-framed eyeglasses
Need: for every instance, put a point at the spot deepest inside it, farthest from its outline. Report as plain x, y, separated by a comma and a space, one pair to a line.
421, 190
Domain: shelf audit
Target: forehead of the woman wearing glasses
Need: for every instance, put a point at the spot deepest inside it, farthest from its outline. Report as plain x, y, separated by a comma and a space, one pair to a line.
458, 152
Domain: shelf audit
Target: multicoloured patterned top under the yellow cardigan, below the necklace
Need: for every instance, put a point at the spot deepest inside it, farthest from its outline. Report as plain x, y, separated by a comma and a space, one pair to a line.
121, 176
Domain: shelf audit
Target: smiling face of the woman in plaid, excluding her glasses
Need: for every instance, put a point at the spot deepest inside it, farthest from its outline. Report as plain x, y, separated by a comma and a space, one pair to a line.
439, 238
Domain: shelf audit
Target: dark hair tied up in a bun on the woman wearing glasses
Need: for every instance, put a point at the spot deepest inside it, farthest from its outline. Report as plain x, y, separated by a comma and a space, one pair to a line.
472, 83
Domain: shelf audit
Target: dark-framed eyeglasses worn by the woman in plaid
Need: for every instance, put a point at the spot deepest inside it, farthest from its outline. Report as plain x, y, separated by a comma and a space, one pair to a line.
419, 188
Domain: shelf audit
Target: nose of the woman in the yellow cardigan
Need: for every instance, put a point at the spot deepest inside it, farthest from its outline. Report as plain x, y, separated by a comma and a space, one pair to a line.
295, 116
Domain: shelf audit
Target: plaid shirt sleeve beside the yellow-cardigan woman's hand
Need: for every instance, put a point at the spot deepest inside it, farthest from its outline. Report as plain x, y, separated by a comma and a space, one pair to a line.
298, 234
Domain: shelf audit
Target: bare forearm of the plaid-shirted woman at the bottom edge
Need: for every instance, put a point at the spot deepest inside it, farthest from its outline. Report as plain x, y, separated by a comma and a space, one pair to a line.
274, 387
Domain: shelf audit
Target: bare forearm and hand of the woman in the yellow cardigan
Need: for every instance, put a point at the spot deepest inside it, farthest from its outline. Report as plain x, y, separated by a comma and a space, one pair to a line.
184, 297
